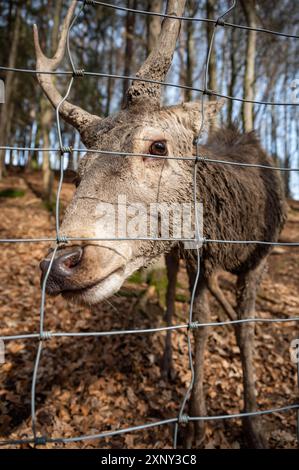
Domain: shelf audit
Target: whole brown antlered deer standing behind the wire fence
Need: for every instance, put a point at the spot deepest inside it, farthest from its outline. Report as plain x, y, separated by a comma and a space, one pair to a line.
239, 203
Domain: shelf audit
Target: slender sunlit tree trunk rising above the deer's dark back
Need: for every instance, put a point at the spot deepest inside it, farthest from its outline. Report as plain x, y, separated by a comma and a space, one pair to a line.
249, 77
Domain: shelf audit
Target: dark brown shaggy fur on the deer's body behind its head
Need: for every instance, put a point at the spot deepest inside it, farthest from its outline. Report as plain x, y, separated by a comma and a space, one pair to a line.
240, 203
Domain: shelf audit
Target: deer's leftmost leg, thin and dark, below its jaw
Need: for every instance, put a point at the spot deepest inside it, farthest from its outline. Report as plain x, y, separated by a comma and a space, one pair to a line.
172, 268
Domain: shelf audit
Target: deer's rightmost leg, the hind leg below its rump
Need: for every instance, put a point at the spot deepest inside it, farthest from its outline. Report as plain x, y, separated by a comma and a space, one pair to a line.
247, 285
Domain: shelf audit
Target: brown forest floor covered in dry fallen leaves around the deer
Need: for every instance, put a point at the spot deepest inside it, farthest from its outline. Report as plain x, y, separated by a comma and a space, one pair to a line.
92, 385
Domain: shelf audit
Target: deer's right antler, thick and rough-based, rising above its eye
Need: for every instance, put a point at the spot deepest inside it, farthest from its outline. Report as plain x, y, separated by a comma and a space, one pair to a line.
158, 62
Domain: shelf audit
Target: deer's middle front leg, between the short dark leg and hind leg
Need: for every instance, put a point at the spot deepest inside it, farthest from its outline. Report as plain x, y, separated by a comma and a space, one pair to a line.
196, 429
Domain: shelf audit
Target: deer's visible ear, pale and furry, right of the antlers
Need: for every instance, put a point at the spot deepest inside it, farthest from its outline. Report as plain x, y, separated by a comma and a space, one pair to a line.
192, 113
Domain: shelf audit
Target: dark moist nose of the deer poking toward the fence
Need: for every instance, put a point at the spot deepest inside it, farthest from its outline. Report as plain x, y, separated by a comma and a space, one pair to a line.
62, 270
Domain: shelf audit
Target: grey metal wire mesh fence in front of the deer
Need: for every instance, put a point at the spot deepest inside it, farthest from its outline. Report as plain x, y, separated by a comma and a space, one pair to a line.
42, 336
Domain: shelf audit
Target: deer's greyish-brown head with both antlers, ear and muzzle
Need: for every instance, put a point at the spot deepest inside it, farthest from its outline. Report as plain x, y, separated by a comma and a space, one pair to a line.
89, 271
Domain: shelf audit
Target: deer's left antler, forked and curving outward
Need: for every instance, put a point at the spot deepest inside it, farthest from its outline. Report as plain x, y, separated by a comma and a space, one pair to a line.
74, 115
